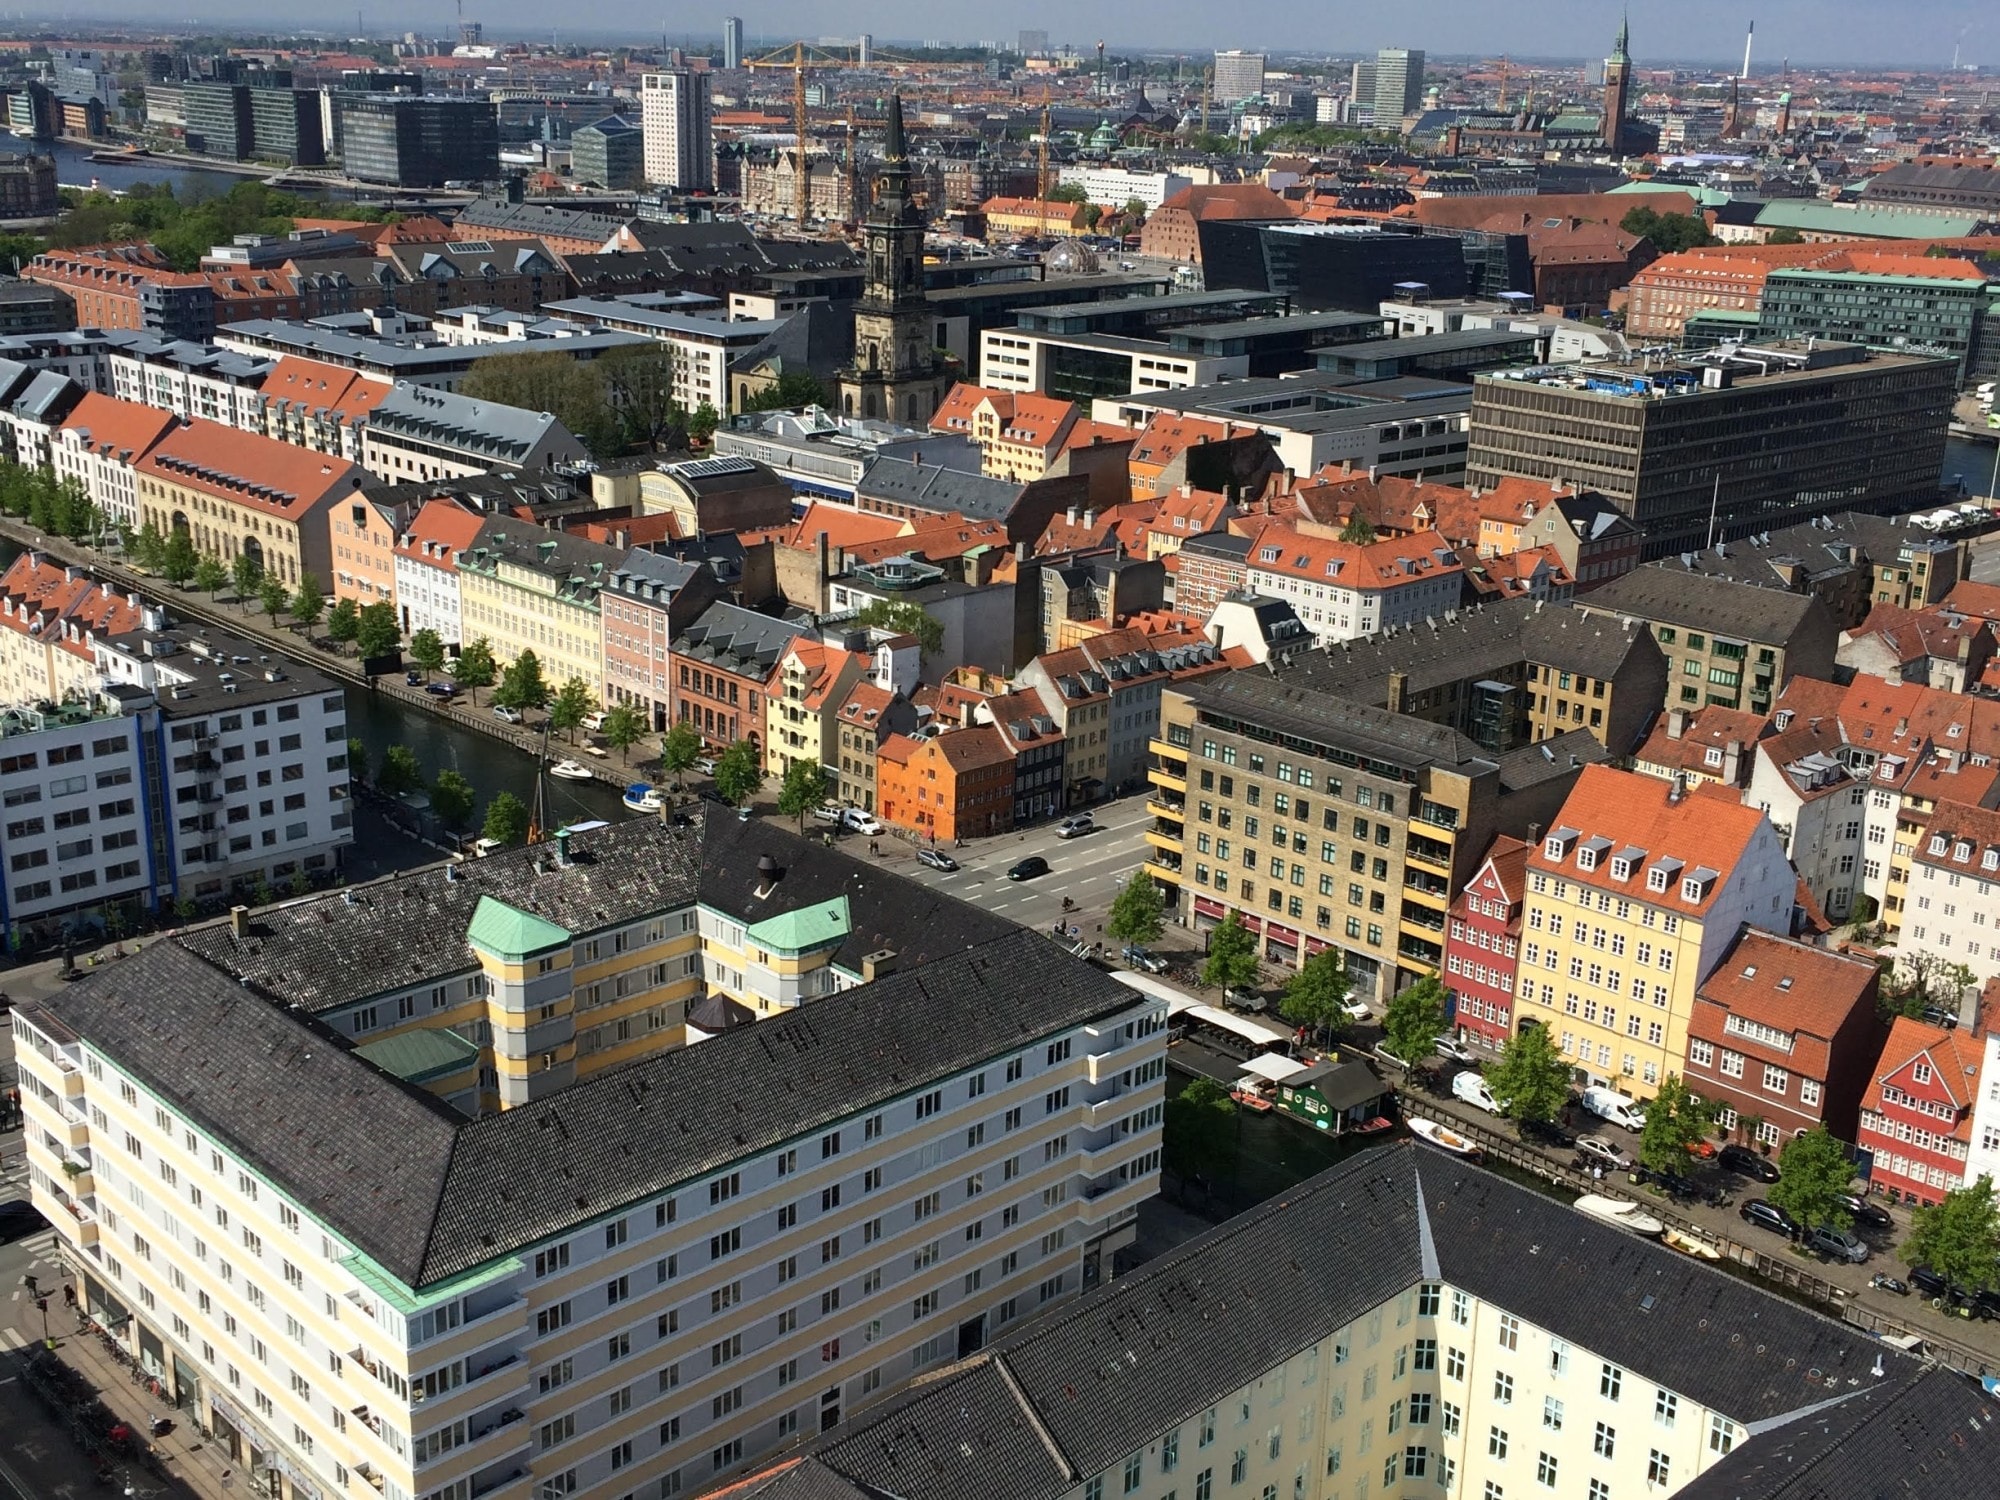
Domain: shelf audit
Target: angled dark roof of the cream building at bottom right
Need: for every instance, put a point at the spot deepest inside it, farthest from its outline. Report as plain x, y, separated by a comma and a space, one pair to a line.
1071, 1395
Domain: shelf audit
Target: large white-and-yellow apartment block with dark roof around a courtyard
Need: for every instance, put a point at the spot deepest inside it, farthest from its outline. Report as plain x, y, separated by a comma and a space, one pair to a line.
639, 1283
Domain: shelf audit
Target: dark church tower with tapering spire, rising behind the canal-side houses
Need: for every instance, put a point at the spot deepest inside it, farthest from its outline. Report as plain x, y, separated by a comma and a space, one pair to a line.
897, 373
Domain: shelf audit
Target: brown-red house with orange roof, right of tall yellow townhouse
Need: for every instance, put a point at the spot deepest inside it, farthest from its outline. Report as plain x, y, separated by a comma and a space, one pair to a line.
1785, 1035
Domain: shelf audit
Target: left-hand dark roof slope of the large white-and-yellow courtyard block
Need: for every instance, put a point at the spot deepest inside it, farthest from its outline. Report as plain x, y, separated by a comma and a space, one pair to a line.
355, 1147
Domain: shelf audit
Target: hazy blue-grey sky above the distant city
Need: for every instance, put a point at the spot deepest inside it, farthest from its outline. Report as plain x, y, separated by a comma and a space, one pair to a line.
1863, 33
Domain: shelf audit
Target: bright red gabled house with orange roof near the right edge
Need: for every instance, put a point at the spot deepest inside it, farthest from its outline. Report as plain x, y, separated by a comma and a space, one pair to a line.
1917, 1115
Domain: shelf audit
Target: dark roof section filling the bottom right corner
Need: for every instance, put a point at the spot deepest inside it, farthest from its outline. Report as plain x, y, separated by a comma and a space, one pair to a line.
1925, 1435
